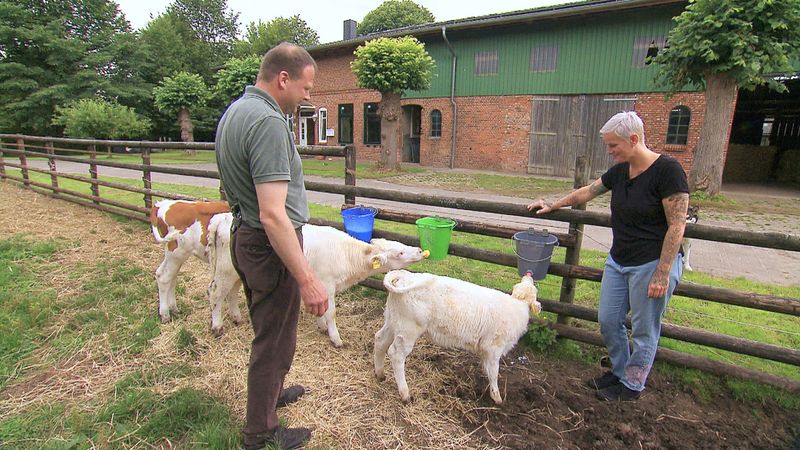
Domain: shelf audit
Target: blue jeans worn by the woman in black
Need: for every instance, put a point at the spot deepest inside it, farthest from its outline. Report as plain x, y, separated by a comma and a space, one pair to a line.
624, 289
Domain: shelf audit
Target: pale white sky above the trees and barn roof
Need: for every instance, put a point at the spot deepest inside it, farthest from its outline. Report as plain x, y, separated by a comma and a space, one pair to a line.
326, 17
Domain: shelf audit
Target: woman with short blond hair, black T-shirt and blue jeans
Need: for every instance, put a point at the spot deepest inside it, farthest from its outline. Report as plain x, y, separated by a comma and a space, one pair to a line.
649, 199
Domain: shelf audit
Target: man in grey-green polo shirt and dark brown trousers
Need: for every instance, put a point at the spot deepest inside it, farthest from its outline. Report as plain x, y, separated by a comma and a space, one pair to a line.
262, 175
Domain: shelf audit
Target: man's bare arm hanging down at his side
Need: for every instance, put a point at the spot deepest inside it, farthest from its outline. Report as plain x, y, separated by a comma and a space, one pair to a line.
281, 234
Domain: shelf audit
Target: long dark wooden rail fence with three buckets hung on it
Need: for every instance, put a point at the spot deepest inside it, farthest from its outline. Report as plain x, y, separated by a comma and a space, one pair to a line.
57, 149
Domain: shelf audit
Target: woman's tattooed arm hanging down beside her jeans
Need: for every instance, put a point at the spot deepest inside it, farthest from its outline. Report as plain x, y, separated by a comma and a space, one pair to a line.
675, 207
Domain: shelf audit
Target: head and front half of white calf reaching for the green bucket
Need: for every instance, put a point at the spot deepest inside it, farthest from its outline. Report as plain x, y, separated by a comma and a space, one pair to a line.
340, 261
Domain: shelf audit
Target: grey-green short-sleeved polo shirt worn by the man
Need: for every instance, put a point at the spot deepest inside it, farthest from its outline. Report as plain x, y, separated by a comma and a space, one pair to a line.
255, 145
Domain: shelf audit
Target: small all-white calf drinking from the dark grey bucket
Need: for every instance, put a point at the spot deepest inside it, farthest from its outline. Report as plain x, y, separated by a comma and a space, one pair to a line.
454, 313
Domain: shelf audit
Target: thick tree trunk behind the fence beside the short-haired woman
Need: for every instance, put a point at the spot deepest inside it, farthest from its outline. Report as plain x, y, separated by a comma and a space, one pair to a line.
709, 156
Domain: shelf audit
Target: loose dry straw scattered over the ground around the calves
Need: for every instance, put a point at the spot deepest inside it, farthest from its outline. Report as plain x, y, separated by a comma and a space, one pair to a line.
345, 405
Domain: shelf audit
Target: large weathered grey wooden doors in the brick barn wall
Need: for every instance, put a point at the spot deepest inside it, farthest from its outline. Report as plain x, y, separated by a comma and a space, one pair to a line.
563, 127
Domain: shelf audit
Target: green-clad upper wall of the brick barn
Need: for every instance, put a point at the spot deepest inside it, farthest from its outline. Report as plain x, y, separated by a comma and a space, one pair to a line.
594, 56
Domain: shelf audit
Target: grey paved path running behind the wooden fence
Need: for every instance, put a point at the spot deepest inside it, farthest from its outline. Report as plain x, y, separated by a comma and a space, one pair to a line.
715, 258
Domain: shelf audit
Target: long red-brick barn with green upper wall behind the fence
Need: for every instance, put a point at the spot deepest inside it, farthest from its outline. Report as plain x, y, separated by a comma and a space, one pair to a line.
523, 92
